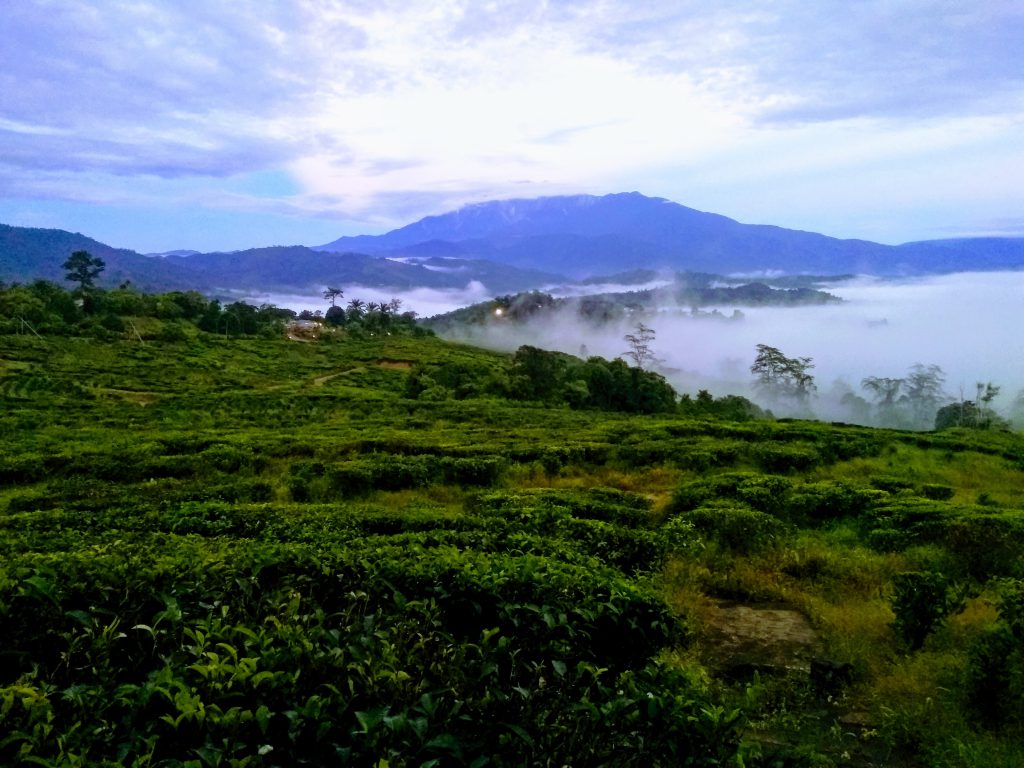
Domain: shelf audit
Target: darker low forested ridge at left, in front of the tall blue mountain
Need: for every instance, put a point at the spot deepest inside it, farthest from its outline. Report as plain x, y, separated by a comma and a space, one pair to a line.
29, 254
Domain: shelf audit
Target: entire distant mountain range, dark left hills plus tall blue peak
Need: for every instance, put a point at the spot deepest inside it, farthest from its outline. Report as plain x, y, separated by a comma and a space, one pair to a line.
513, 246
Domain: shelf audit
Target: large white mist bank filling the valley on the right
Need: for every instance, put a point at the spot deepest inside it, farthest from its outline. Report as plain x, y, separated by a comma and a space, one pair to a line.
968, 324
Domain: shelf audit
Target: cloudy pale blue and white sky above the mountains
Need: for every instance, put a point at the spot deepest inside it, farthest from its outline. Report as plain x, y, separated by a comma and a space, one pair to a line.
186, 124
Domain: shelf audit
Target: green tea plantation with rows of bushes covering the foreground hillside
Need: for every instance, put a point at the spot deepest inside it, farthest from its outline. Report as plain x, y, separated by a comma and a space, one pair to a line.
262, 552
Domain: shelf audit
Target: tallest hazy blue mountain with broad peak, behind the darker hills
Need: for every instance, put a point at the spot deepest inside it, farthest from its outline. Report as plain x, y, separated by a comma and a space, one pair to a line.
585, 236
